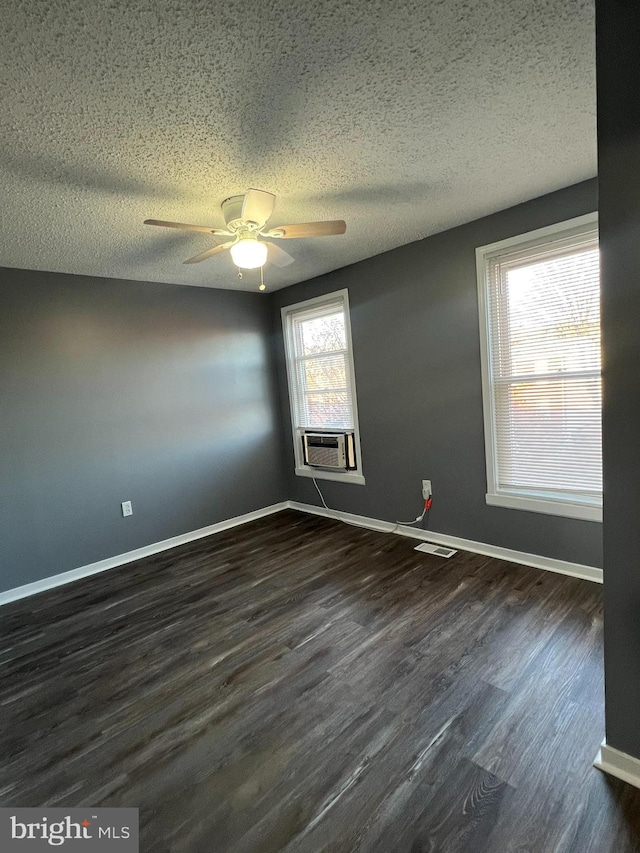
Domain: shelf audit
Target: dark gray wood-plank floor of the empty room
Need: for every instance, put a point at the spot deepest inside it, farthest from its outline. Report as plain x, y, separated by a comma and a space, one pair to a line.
302, 685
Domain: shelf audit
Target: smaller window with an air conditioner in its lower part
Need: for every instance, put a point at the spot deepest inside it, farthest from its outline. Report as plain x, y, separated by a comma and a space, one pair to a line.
322, 392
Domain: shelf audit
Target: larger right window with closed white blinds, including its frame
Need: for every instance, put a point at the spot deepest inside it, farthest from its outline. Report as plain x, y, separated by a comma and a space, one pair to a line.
539, 300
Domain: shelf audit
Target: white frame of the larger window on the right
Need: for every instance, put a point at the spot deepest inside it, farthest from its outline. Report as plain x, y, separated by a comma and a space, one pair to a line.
567, 505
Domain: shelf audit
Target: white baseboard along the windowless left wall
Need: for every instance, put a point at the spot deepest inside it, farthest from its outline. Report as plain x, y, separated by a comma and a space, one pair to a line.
146, 551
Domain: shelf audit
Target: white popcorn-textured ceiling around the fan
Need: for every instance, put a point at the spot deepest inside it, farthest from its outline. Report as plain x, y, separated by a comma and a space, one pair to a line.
403, 118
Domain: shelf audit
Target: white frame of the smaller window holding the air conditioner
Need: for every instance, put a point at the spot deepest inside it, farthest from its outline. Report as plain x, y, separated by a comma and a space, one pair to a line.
355, 476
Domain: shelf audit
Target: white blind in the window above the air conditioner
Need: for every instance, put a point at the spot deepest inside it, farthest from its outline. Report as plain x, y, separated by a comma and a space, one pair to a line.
319, 366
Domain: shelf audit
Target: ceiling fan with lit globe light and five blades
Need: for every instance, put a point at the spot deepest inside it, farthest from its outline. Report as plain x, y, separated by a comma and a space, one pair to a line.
245, 217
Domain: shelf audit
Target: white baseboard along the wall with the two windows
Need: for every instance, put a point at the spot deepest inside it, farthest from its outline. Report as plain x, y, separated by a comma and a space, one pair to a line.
576, 570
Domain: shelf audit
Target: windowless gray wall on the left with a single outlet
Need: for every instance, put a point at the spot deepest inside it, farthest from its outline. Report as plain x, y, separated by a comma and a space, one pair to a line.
116, 390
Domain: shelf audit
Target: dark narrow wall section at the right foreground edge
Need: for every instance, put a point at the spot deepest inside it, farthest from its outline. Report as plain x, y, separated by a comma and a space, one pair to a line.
618, 37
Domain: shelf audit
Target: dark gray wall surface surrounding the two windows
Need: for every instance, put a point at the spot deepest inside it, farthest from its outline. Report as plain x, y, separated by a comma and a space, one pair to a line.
414, 317
